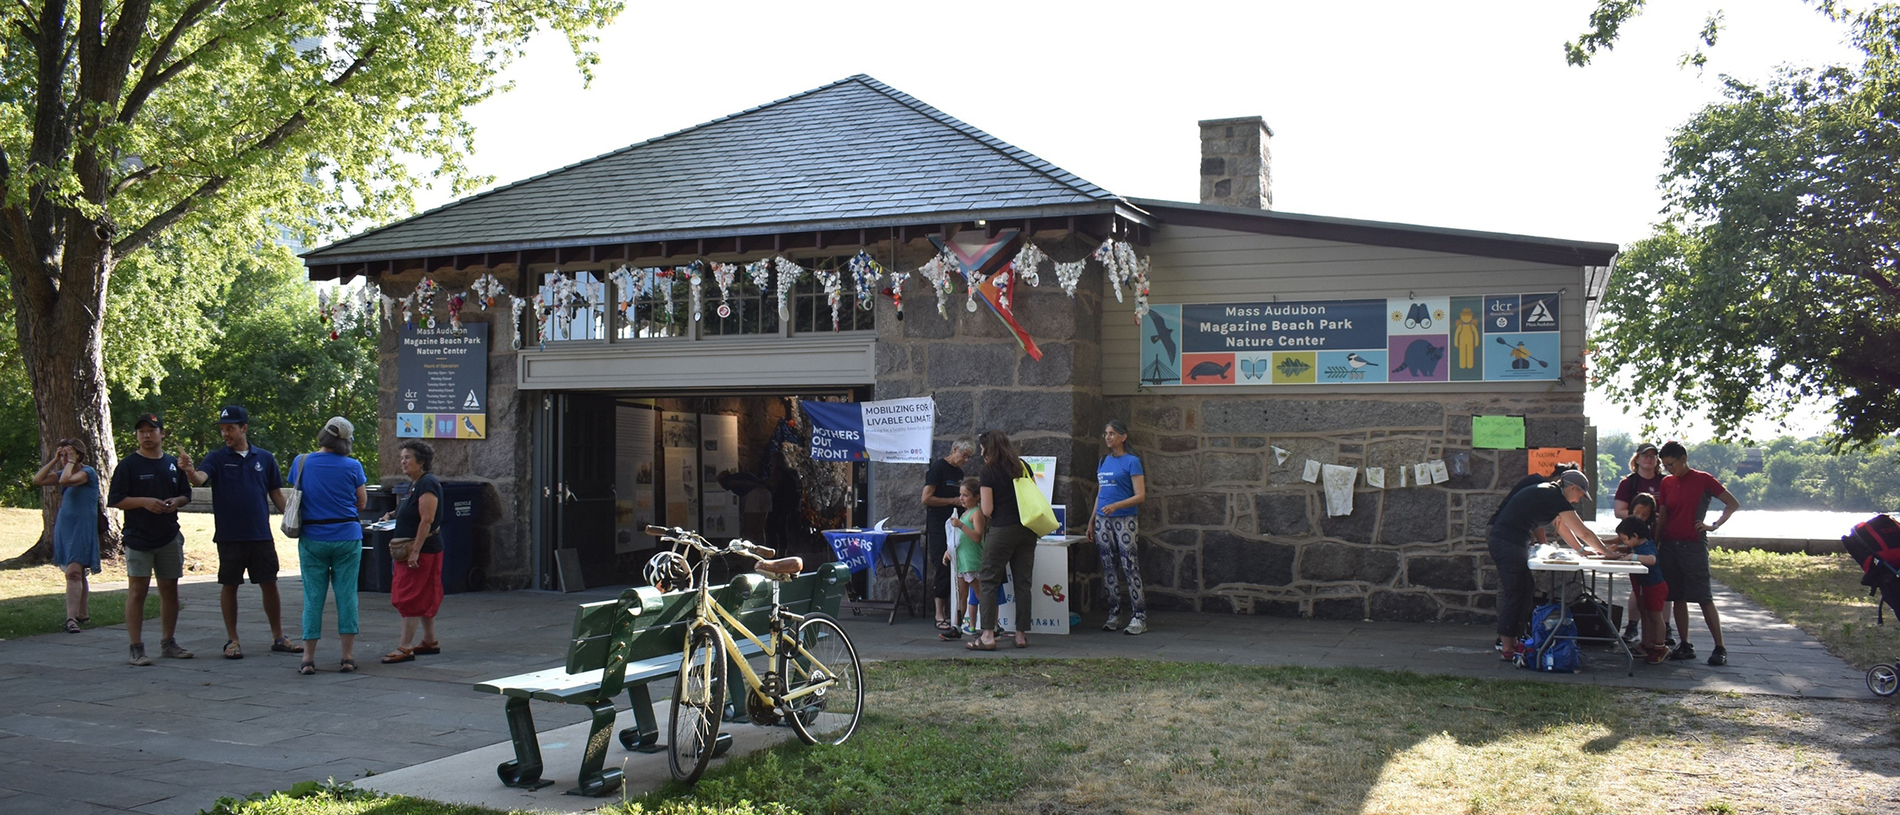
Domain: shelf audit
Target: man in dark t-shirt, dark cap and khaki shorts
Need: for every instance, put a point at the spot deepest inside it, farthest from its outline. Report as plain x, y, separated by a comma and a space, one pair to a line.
149, 487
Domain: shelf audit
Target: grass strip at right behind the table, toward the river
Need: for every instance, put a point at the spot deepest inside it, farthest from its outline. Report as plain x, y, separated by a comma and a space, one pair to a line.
1817, 594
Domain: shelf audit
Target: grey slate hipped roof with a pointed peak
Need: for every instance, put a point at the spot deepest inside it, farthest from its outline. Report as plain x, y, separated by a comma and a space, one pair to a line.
848, 155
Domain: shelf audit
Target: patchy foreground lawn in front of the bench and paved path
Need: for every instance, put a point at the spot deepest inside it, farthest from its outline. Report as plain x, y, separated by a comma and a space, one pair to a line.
1114, 736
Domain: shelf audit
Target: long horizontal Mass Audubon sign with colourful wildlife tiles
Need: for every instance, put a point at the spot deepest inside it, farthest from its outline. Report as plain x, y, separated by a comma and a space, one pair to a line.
1348, 343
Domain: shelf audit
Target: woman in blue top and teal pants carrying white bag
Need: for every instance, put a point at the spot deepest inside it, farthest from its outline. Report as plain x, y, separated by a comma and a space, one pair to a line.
332, 548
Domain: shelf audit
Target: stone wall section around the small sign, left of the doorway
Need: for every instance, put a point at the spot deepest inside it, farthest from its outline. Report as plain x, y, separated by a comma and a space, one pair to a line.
503, 535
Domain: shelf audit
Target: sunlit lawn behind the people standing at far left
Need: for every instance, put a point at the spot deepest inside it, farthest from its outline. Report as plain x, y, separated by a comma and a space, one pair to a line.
33, 599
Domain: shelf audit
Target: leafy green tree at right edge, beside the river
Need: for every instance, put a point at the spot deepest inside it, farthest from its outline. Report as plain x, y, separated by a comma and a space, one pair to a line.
1777, 276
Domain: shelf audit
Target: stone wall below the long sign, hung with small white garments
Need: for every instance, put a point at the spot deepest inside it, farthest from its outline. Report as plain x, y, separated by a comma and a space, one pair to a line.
1226, 529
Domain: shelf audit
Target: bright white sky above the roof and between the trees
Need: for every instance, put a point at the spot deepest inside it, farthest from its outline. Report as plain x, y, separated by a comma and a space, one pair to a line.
1426, 113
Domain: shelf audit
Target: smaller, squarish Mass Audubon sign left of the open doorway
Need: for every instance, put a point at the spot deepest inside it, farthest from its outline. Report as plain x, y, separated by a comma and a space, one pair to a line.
442, 379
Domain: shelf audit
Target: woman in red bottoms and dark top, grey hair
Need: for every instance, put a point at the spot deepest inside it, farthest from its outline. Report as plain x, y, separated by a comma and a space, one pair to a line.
417, 582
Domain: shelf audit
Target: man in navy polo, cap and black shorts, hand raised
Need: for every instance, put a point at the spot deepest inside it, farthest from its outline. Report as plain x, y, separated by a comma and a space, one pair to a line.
244, 485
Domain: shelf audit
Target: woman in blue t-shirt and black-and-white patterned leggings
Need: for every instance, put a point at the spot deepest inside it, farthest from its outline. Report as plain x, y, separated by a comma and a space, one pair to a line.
1112, 527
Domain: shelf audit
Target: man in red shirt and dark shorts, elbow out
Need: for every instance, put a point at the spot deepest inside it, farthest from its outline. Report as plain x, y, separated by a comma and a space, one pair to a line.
1682, 544
